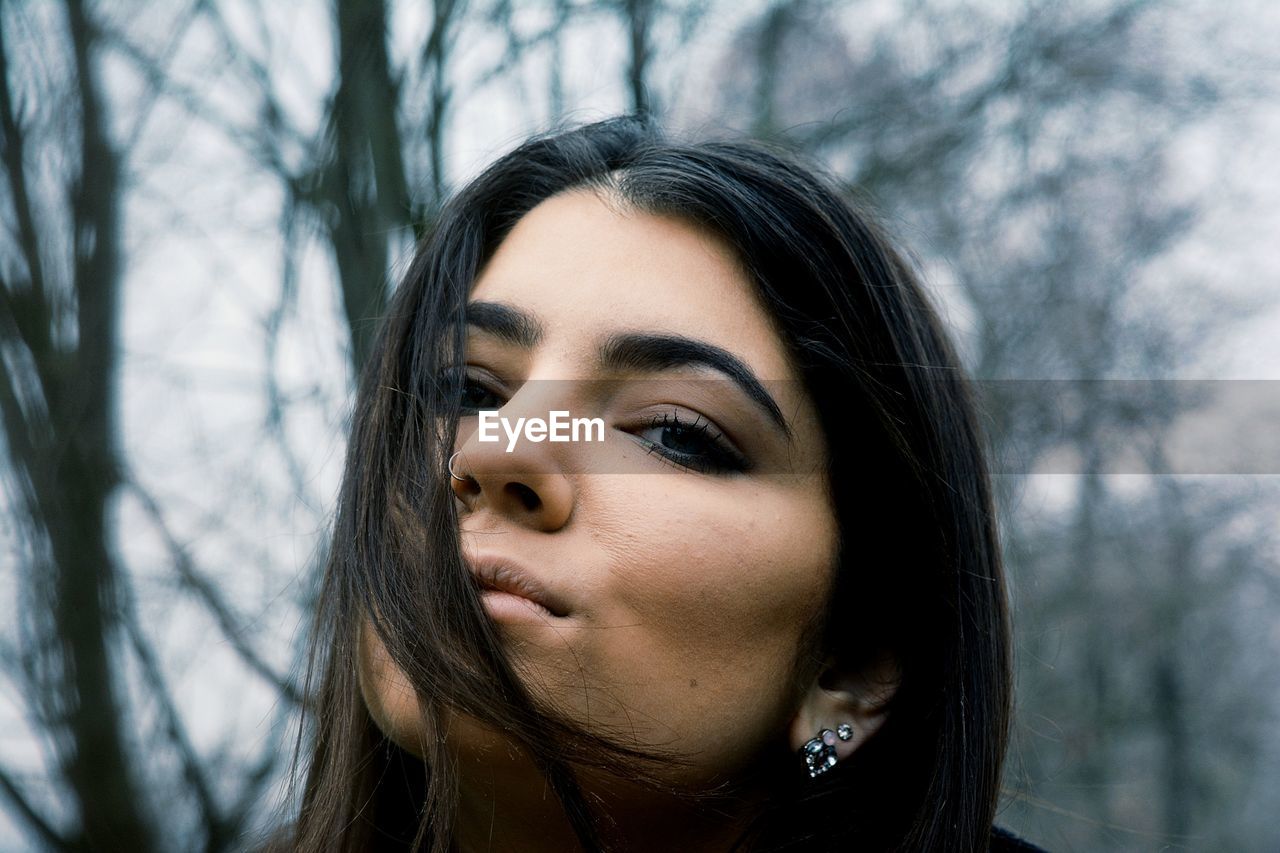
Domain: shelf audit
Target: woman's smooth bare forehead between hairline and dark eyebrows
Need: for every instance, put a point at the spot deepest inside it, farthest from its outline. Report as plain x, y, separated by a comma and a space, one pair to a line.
587, 268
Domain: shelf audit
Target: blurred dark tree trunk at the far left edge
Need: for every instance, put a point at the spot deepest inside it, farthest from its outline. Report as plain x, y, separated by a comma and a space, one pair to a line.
60, 337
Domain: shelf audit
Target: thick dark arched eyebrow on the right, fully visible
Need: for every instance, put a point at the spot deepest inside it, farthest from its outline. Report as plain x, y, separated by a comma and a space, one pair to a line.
650, 352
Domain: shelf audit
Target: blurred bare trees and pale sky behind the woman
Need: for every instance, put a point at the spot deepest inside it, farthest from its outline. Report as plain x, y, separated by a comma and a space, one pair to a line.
205, 204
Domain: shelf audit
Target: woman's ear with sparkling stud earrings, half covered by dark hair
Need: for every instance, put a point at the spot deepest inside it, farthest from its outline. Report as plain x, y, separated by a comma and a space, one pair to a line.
839, 696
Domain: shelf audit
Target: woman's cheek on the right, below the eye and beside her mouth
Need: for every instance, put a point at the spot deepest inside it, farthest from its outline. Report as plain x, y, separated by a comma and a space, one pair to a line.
707, 597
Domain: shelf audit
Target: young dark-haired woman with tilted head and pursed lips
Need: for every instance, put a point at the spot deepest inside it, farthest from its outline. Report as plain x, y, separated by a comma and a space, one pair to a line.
758, 606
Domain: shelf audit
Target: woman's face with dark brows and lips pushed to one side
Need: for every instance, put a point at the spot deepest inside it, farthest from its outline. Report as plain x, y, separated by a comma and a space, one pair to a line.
679, 572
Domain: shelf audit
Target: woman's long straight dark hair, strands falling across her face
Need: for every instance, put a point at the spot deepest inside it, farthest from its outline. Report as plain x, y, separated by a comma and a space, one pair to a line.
908, 480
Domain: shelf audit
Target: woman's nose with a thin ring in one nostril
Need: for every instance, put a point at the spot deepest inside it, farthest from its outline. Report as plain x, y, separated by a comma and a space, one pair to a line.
525, 486
